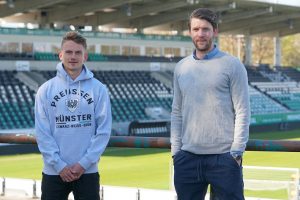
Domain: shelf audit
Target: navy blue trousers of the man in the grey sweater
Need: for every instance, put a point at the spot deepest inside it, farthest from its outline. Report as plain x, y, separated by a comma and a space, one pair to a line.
193, 173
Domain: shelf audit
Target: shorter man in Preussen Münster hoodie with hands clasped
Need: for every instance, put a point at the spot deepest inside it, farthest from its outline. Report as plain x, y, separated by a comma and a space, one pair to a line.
73, 125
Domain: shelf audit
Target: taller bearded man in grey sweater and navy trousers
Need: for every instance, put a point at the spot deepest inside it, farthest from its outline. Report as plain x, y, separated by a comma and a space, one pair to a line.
210, 116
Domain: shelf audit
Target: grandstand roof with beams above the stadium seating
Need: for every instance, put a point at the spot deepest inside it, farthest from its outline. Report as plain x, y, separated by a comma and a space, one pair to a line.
236, 17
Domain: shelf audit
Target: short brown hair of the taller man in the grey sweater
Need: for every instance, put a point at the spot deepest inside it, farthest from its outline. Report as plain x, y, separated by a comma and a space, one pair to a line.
206, 14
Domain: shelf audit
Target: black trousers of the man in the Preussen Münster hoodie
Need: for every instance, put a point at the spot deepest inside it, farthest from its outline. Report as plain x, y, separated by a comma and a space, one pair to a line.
85, 188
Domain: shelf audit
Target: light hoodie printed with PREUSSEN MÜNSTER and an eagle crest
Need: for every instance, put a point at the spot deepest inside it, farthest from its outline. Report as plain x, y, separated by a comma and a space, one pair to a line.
72, 121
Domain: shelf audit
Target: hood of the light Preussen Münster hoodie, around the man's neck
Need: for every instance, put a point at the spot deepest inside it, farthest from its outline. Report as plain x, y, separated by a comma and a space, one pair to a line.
84, 75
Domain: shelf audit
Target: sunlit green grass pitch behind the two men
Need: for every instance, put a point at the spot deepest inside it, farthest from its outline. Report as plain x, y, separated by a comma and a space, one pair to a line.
150, 168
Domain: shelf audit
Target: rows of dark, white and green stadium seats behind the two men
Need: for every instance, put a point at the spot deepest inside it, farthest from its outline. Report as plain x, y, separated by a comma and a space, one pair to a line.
144, 96
